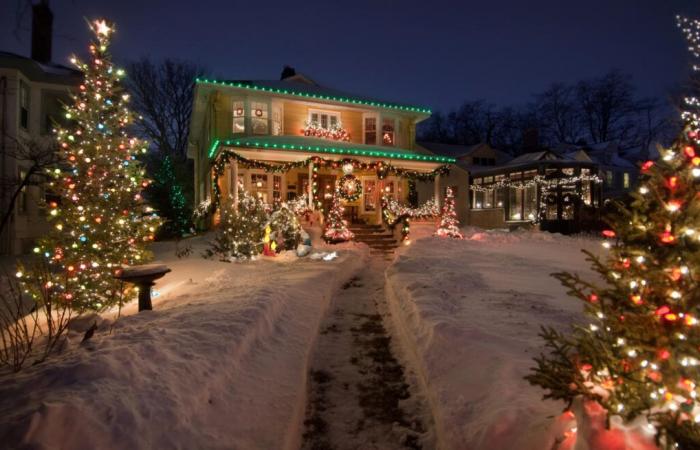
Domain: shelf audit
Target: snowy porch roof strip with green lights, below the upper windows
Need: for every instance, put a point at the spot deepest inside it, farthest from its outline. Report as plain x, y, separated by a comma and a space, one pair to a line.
306, 144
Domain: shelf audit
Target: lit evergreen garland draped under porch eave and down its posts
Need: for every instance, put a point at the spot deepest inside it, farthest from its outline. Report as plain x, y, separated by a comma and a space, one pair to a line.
382, 169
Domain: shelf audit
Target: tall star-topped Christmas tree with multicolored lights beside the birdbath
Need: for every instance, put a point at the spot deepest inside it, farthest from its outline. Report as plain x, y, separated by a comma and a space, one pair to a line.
100, 222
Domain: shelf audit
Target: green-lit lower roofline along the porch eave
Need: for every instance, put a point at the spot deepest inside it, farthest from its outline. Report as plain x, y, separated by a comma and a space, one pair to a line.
328, 150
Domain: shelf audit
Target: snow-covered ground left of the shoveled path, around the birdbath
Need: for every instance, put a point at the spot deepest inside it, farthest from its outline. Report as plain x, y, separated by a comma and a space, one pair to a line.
220, 363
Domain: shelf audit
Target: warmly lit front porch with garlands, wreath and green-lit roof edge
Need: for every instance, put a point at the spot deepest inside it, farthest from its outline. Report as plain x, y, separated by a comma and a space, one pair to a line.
279, 172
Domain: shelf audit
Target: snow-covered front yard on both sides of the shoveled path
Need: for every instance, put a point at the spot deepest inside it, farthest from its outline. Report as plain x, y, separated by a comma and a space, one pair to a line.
223, 360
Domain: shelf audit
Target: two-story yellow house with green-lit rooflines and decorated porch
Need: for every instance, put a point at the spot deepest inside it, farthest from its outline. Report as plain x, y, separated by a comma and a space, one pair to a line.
283, 139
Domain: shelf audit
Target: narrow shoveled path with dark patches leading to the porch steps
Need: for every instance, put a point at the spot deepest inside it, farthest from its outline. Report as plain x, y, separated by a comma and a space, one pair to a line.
360, 396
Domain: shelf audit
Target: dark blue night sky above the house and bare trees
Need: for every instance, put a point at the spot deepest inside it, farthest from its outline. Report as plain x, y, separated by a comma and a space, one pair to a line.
430, 53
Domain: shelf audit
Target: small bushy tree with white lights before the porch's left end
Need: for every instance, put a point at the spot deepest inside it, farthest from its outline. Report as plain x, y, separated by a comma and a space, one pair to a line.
240, 232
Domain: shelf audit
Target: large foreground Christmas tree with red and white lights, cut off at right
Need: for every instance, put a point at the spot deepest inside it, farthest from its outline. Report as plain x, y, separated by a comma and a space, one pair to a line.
640, 354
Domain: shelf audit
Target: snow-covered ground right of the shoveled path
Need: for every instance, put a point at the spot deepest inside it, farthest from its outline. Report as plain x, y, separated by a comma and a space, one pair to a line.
467, 313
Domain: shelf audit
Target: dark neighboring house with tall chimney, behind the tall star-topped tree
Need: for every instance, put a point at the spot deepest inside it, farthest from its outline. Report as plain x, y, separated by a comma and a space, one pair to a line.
32, 91
